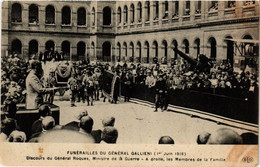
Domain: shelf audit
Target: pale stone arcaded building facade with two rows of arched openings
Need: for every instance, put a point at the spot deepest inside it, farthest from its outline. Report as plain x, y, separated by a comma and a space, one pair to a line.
134, 31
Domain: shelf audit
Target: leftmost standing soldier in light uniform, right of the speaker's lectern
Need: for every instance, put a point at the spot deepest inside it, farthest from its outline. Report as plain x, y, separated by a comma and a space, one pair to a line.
72, 84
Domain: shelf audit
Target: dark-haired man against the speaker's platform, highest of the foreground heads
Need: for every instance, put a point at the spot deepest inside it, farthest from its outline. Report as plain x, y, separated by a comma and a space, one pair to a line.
44, 110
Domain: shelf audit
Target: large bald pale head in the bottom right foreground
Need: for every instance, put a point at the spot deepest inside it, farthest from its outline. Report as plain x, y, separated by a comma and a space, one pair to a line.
225, 136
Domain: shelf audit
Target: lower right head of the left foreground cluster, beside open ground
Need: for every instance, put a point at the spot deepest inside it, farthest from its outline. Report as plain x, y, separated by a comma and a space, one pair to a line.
109, 135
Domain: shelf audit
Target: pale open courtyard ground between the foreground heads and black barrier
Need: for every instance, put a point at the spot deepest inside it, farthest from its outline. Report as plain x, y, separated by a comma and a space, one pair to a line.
138, 124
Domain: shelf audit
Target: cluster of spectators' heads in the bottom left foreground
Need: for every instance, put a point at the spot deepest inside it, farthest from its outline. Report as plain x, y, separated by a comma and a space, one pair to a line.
45, 123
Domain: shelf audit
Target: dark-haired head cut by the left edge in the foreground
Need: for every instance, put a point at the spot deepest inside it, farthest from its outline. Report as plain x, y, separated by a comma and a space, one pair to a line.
7, 126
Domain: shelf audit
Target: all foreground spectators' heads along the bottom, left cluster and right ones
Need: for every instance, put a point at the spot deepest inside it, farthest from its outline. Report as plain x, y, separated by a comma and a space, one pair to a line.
44, 129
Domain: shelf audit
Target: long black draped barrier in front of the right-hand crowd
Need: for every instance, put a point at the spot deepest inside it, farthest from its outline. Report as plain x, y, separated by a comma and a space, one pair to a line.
237, 108
